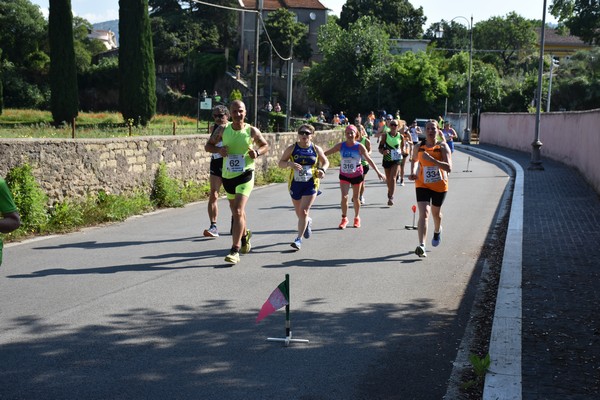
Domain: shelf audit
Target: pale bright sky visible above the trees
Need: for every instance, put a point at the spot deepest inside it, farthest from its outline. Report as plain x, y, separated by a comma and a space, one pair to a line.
435, 10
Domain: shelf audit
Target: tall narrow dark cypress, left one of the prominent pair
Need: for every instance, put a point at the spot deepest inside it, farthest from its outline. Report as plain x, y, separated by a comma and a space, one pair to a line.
64, 102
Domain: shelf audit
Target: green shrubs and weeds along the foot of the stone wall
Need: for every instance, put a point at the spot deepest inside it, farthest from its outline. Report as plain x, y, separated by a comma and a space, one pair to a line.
72, 214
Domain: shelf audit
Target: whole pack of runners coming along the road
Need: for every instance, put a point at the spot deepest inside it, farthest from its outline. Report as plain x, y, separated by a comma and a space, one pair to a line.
235, 145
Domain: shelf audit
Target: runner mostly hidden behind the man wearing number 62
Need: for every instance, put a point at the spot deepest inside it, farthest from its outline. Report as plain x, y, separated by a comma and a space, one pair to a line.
221, 116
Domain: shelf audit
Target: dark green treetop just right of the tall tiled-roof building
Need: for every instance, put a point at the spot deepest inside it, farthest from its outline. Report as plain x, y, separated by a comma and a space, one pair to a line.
398, 17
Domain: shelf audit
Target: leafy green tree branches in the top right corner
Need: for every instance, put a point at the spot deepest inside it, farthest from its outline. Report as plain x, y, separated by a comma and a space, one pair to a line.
582, 17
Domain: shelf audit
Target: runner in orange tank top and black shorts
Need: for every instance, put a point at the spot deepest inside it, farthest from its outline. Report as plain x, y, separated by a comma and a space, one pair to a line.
434, 162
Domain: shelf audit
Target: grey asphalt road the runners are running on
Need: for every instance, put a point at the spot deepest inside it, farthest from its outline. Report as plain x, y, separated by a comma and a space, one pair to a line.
147, 308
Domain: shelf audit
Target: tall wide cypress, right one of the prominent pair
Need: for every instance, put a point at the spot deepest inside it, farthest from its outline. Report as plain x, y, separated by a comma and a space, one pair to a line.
137, 79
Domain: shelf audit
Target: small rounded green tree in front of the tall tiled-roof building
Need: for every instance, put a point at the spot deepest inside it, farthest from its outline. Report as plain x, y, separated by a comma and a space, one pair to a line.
285, 34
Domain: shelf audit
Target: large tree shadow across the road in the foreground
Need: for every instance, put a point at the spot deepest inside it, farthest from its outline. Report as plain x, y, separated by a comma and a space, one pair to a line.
211, 352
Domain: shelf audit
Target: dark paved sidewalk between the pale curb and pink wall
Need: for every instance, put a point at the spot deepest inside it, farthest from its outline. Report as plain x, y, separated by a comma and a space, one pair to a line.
560, 320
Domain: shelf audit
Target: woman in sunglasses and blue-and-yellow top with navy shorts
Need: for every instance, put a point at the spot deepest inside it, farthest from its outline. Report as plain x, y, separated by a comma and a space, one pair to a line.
308, 164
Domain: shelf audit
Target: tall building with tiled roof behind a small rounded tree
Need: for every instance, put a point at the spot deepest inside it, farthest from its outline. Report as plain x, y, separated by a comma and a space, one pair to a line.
309, 12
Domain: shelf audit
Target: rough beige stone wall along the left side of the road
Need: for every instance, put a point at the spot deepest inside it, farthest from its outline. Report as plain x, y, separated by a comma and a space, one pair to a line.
71, 168
